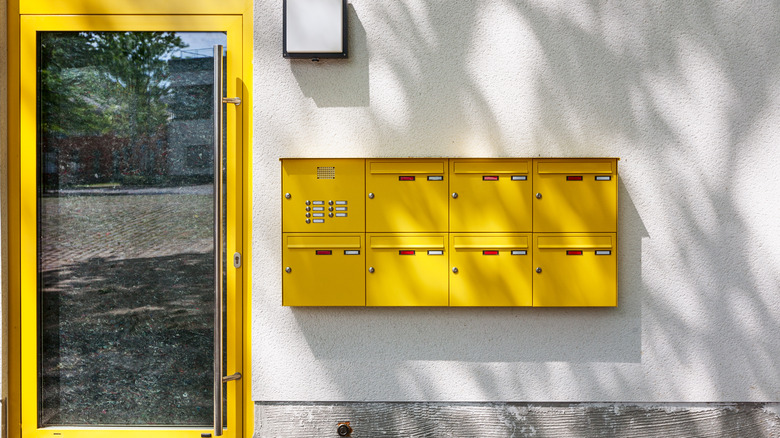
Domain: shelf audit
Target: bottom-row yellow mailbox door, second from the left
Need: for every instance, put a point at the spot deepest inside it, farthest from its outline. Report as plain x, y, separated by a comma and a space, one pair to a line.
408, 270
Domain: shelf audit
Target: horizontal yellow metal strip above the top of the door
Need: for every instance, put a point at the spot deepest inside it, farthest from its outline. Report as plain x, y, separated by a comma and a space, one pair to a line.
133, 7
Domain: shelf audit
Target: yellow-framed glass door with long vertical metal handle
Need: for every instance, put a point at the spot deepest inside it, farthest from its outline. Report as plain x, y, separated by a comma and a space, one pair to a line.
129, 207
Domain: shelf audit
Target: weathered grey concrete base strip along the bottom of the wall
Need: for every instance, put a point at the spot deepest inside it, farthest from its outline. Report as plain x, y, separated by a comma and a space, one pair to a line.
486, 420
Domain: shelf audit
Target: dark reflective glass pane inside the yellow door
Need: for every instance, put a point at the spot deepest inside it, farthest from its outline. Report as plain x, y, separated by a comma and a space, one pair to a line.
125, 228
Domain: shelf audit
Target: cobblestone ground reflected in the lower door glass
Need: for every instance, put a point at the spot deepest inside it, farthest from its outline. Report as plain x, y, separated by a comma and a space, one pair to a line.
126, 309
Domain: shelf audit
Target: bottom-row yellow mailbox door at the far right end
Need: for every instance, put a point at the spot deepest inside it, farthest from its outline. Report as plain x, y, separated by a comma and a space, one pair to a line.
575, 269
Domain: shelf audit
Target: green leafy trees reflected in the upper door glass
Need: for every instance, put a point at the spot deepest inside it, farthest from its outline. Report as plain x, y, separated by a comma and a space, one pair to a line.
103, 109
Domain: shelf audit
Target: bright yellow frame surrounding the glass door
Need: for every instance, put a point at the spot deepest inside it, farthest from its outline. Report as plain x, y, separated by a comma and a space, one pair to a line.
25, 17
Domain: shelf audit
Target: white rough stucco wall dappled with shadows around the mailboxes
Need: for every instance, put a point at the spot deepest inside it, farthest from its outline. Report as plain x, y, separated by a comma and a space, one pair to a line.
686, 93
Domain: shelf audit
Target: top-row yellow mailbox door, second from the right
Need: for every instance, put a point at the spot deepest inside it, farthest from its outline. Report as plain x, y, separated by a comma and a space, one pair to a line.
492, 195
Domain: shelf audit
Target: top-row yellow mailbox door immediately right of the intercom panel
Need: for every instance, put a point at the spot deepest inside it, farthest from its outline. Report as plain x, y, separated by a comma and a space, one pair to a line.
406, 196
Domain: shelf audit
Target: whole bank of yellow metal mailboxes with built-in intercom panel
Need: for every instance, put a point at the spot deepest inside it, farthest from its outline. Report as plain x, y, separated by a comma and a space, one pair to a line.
449, 232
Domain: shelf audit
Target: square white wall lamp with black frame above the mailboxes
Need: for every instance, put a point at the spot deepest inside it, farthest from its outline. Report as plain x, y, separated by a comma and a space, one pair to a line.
315, 29
